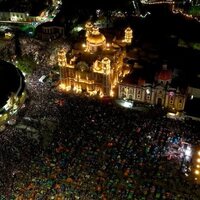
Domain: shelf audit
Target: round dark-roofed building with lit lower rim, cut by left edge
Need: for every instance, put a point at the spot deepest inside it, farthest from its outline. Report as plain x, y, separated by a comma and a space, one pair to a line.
12, 91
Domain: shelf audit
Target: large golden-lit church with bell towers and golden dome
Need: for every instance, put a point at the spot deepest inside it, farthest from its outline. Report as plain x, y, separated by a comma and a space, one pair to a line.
95, 67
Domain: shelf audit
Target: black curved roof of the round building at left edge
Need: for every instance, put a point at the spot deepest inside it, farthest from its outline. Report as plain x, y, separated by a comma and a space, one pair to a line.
11, 81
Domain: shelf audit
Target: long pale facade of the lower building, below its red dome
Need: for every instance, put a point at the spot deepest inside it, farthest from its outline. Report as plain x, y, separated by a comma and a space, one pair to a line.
156, 95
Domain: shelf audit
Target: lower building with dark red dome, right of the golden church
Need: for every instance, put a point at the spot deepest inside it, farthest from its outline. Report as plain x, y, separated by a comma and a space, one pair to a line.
156, 94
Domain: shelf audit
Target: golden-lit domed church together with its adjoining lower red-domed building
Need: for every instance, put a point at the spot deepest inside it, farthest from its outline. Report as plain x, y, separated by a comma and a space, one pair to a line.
97, 67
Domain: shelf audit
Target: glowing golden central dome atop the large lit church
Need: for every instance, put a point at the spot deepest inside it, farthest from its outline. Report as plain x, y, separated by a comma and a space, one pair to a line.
96, 38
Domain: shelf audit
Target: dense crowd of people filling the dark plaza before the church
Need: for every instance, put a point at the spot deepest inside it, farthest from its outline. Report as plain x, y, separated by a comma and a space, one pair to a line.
98, 150
